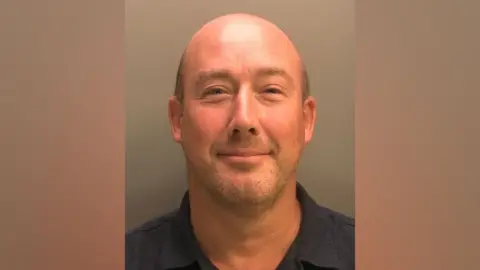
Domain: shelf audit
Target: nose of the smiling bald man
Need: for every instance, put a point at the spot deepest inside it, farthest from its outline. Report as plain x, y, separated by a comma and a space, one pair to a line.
244, 119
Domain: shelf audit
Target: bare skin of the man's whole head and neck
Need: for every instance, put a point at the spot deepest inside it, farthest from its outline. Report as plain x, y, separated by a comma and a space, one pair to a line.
243, 124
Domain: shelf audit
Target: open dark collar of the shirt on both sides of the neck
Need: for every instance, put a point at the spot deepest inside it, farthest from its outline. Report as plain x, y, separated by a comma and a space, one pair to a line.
315, 243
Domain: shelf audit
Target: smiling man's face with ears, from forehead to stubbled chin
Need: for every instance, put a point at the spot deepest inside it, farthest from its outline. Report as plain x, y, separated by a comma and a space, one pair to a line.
243, 123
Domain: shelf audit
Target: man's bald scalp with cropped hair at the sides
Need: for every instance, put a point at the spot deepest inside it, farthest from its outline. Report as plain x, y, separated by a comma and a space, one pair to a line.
243, 31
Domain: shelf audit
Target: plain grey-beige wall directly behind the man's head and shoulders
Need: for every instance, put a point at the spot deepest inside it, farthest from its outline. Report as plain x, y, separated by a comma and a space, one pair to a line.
157, 32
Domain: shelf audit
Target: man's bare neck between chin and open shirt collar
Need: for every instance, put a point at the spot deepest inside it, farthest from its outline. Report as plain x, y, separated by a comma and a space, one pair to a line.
232, 240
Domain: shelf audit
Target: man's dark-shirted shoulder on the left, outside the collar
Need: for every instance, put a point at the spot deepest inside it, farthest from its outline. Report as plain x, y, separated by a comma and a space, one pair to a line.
144, 243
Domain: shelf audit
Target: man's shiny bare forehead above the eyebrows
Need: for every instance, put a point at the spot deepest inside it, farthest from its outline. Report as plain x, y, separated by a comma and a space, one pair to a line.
242, 49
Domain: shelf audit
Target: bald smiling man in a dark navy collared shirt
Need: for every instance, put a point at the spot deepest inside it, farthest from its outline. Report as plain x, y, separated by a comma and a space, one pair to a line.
243, 115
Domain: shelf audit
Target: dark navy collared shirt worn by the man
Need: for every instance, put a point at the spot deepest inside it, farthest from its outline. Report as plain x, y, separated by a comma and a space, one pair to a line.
326, 240
